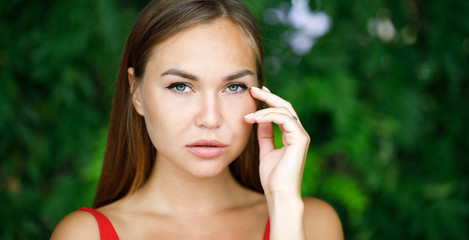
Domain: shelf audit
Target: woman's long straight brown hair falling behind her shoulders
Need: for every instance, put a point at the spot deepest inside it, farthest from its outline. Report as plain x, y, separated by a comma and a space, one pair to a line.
129, 157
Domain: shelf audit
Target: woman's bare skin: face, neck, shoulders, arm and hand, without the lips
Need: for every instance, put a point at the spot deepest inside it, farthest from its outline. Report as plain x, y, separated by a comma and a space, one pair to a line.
189, 197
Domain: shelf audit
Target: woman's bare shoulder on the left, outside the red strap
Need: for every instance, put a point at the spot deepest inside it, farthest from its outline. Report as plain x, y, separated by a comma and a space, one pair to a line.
77, 225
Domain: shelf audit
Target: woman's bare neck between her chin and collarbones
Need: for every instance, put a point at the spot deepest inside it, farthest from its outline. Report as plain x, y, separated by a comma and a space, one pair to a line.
172, 191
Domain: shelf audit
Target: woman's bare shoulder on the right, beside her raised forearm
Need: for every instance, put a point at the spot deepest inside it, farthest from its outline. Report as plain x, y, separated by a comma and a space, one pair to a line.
321, 220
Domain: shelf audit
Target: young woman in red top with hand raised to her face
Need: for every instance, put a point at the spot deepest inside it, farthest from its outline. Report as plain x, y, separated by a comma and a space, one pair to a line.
190, 152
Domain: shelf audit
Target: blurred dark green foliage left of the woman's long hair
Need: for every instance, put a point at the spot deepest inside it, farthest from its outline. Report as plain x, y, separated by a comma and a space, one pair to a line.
58, 61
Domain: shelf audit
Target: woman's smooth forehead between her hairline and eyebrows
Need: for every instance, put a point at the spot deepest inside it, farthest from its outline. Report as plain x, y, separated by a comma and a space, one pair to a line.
219, 44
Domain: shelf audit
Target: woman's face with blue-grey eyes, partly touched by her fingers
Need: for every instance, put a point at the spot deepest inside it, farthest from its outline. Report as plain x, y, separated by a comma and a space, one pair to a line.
194, 96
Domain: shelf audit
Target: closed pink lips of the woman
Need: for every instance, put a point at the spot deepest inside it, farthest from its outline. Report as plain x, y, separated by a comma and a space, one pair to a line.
206, 148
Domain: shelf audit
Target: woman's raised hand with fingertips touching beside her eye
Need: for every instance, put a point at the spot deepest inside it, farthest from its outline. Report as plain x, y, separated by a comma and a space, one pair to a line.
280, 170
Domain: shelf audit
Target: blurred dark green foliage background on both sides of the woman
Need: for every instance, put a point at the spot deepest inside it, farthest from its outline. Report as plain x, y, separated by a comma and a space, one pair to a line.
388, 119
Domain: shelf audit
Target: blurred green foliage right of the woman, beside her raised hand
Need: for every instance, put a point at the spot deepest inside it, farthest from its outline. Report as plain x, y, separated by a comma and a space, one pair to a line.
384, 95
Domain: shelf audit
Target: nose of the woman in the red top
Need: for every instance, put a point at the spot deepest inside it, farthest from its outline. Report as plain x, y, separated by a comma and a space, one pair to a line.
209, 112
